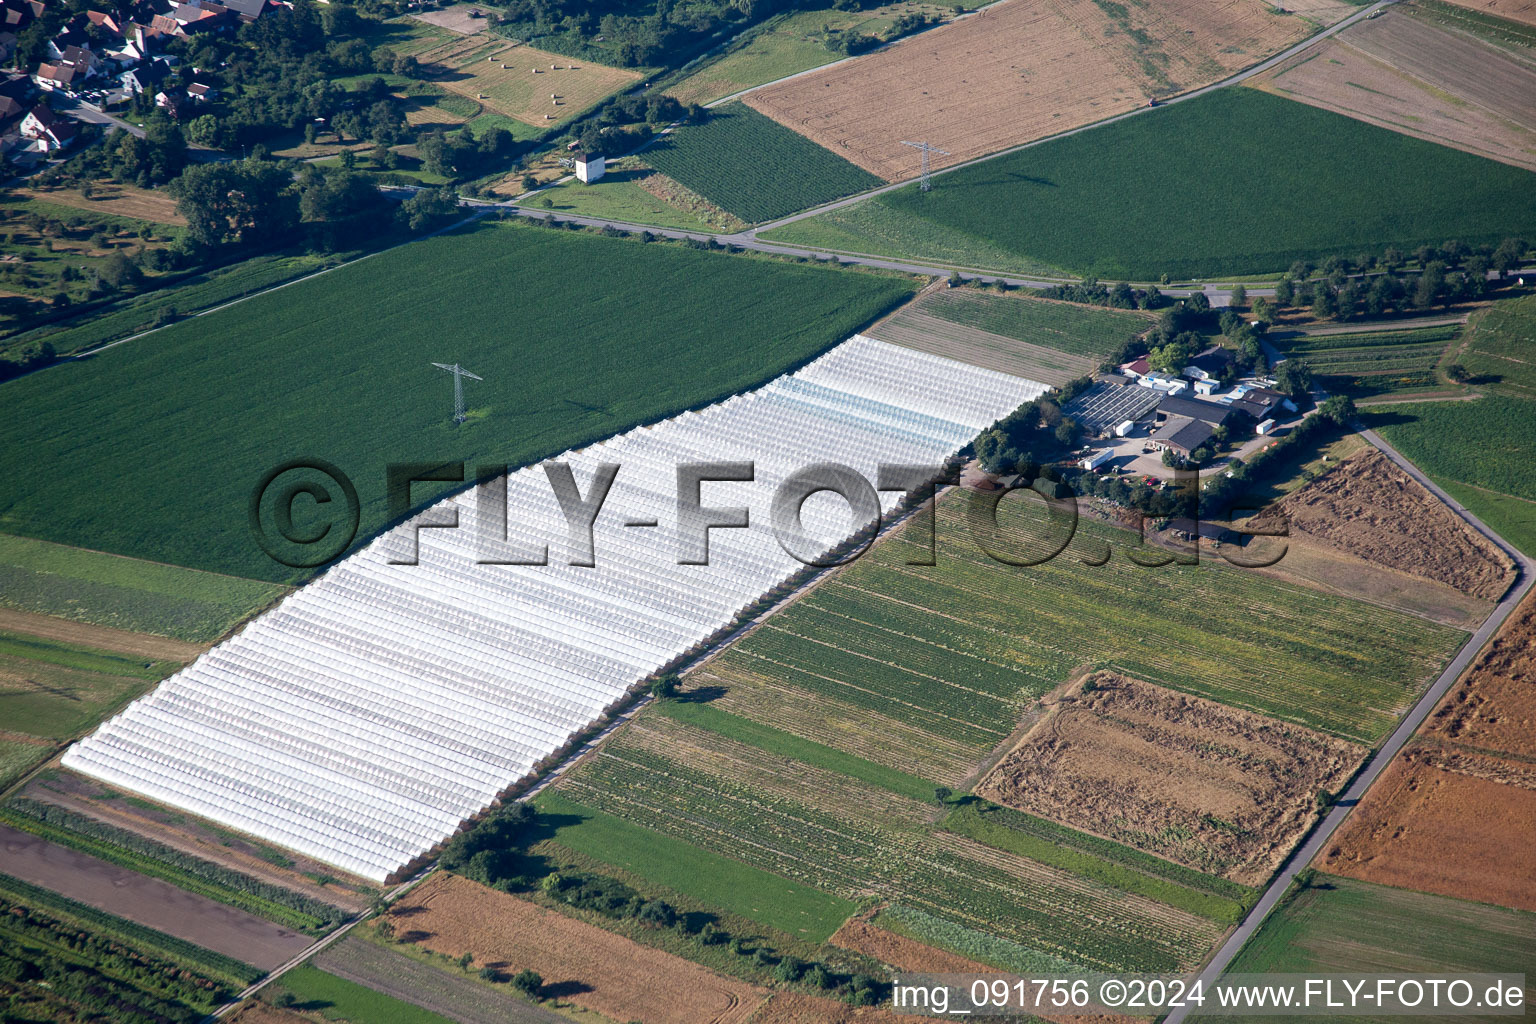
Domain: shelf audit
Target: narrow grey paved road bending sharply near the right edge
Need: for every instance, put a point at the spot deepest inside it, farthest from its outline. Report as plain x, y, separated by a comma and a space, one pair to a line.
1320, 837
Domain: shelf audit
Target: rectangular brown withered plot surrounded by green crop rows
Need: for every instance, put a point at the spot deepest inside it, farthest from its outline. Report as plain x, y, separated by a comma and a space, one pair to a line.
1200, 784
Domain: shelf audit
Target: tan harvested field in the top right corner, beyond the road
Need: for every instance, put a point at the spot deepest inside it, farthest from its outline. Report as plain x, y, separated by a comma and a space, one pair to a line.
1405, 74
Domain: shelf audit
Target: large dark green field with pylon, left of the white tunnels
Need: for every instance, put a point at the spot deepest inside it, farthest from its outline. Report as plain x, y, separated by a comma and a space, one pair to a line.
176, 431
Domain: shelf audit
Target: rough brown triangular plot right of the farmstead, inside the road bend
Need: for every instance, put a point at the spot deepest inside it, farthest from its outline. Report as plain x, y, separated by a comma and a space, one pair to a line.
1372, 510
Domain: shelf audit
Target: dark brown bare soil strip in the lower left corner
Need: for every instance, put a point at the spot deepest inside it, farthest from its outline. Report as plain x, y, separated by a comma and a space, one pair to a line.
150, 902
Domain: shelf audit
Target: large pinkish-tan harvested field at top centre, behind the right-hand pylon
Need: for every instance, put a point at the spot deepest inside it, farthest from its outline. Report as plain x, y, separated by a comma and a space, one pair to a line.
1024, 71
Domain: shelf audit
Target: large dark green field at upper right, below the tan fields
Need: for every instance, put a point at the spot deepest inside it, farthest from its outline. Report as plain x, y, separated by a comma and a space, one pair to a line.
1236, 182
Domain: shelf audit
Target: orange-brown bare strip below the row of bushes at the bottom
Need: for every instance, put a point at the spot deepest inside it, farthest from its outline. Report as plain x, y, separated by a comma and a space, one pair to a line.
604, 973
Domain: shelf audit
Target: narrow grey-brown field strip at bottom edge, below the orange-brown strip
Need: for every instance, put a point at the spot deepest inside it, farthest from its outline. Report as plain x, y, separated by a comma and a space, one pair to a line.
429, 988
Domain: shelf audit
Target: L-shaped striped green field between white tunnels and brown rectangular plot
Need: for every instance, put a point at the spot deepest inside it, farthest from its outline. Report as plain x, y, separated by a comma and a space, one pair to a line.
945, 658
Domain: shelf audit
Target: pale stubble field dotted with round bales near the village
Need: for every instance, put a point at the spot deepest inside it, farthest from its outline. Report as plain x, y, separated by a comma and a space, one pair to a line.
521, 82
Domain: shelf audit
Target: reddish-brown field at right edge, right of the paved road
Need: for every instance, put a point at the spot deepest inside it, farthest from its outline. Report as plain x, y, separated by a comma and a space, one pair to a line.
1457, 813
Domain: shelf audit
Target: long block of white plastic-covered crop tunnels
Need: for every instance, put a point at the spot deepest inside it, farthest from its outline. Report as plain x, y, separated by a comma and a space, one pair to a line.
374, 712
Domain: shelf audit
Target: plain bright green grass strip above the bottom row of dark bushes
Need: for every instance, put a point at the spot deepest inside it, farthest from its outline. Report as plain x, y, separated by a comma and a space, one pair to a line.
717, 880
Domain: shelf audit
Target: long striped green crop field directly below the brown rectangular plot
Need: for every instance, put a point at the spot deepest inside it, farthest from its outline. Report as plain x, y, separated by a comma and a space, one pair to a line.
818, 828
